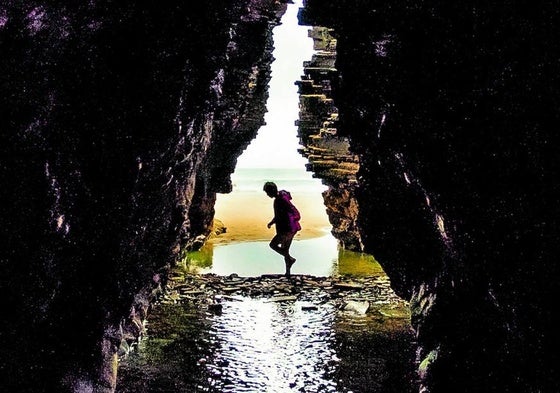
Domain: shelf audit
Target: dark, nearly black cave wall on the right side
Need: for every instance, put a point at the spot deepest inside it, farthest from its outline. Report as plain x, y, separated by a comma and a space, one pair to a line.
453, 110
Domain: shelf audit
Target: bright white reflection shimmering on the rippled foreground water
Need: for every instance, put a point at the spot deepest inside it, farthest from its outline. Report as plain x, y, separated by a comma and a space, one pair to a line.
273, 348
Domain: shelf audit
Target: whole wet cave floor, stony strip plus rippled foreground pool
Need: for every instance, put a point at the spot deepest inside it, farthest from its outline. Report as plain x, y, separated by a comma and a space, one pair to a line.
212, 333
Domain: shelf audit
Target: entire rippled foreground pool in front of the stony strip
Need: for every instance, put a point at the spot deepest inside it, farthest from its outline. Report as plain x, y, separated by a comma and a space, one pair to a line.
256, 345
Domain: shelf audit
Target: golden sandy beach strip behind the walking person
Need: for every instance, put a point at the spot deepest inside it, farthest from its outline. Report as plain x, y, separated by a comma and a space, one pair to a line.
245, 215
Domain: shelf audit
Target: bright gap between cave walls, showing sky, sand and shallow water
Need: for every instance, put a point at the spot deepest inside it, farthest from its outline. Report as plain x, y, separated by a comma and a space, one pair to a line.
273, 156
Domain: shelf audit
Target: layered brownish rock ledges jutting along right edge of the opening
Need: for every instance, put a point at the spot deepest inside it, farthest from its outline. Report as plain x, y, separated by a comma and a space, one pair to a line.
328, 153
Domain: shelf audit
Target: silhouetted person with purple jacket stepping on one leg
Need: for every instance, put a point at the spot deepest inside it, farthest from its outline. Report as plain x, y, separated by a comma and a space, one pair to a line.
286, 218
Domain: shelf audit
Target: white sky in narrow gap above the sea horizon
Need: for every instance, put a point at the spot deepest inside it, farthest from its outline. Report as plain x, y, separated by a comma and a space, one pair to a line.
276, 143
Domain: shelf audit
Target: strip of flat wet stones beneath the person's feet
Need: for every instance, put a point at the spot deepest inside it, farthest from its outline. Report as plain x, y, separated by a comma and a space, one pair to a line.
212, 289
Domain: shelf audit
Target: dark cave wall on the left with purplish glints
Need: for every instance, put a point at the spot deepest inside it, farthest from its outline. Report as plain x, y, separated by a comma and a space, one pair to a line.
119, 122
